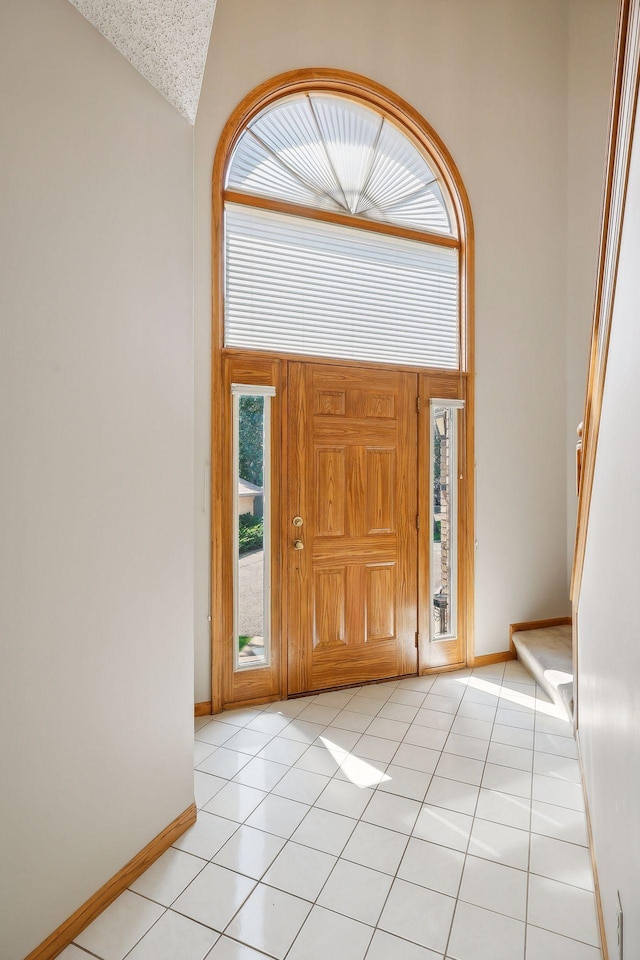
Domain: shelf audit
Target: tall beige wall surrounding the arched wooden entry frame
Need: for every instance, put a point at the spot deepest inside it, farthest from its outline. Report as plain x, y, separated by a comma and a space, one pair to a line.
491, 77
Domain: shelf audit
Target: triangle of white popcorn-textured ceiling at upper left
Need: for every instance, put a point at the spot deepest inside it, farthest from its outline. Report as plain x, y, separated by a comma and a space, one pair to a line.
165, 40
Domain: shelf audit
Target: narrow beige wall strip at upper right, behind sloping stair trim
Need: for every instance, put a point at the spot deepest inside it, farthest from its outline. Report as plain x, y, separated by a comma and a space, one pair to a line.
592, 26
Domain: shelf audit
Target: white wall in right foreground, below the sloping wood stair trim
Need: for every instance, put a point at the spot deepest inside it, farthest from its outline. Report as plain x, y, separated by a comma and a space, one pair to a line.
609, 636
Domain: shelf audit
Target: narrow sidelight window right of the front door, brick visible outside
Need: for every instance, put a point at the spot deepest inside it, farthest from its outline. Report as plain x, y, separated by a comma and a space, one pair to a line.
444, 518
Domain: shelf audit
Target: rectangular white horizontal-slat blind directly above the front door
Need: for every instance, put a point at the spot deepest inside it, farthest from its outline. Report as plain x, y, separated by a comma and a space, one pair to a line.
294, 285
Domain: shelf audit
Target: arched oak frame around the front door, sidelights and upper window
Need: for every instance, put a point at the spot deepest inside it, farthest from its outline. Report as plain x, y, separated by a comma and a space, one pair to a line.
266, 369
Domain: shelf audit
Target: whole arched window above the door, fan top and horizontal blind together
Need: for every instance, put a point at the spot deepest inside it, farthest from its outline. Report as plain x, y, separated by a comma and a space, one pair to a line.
340, 238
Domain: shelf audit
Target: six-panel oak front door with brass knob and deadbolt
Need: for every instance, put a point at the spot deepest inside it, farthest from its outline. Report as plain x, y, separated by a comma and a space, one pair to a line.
352, 561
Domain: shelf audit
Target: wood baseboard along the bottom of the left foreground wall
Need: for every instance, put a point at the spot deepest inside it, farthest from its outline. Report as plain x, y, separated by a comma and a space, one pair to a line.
83, 916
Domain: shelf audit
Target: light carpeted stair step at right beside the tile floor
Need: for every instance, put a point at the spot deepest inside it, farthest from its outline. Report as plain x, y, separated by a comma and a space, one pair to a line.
547, 654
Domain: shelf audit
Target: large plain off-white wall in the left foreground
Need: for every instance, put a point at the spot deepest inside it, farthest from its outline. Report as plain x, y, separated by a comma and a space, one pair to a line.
96, 416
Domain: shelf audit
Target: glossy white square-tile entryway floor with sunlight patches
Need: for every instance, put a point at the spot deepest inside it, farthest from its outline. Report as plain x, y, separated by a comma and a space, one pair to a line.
430, 818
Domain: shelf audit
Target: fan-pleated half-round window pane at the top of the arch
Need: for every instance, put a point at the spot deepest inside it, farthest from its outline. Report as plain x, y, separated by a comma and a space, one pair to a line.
329, 152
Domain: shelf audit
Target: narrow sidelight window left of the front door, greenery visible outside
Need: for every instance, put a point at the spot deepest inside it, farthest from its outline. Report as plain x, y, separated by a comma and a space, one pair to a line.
251, 524
